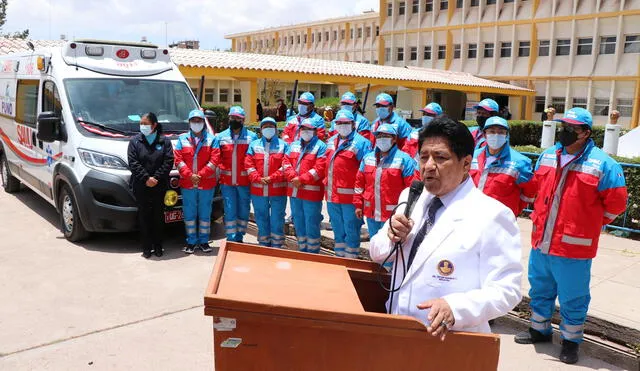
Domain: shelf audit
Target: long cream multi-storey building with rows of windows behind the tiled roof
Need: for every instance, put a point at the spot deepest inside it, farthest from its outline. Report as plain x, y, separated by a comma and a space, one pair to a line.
582, 53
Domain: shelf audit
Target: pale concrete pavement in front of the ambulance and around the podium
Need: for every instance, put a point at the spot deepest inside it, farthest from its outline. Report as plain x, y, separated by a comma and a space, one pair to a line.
99, 305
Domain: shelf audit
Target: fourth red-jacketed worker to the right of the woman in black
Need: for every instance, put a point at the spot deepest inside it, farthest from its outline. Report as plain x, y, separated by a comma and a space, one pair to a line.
305, 167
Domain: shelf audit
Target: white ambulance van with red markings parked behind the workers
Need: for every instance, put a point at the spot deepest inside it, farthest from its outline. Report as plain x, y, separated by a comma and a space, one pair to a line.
67, 114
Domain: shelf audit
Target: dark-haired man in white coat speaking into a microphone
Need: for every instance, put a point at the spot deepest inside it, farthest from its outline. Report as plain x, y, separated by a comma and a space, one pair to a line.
461, 248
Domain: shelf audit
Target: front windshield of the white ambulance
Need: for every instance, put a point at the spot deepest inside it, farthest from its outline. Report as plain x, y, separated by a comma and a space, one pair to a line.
118, 103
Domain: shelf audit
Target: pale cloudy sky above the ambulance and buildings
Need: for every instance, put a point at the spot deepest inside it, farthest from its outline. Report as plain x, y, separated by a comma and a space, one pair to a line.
204, 20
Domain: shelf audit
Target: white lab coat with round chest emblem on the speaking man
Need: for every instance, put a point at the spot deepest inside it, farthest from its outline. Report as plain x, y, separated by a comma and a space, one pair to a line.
477, 236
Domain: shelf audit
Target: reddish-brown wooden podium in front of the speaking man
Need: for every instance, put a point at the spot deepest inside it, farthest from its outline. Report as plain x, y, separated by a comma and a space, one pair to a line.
284, 310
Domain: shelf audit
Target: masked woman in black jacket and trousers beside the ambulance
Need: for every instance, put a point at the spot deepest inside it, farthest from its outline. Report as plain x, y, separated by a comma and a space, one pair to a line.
150, 161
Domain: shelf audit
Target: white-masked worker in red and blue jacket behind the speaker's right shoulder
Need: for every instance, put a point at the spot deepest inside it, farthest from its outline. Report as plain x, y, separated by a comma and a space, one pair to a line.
500, 171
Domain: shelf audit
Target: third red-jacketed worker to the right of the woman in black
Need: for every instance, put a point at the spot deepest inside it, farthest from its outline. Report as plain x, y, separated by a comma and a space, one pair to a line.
268, 184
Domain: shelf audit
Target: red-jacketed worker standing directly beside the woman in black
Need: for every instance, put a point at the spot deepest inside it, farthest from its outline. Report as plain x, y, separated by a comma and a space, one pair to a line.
194, 158
